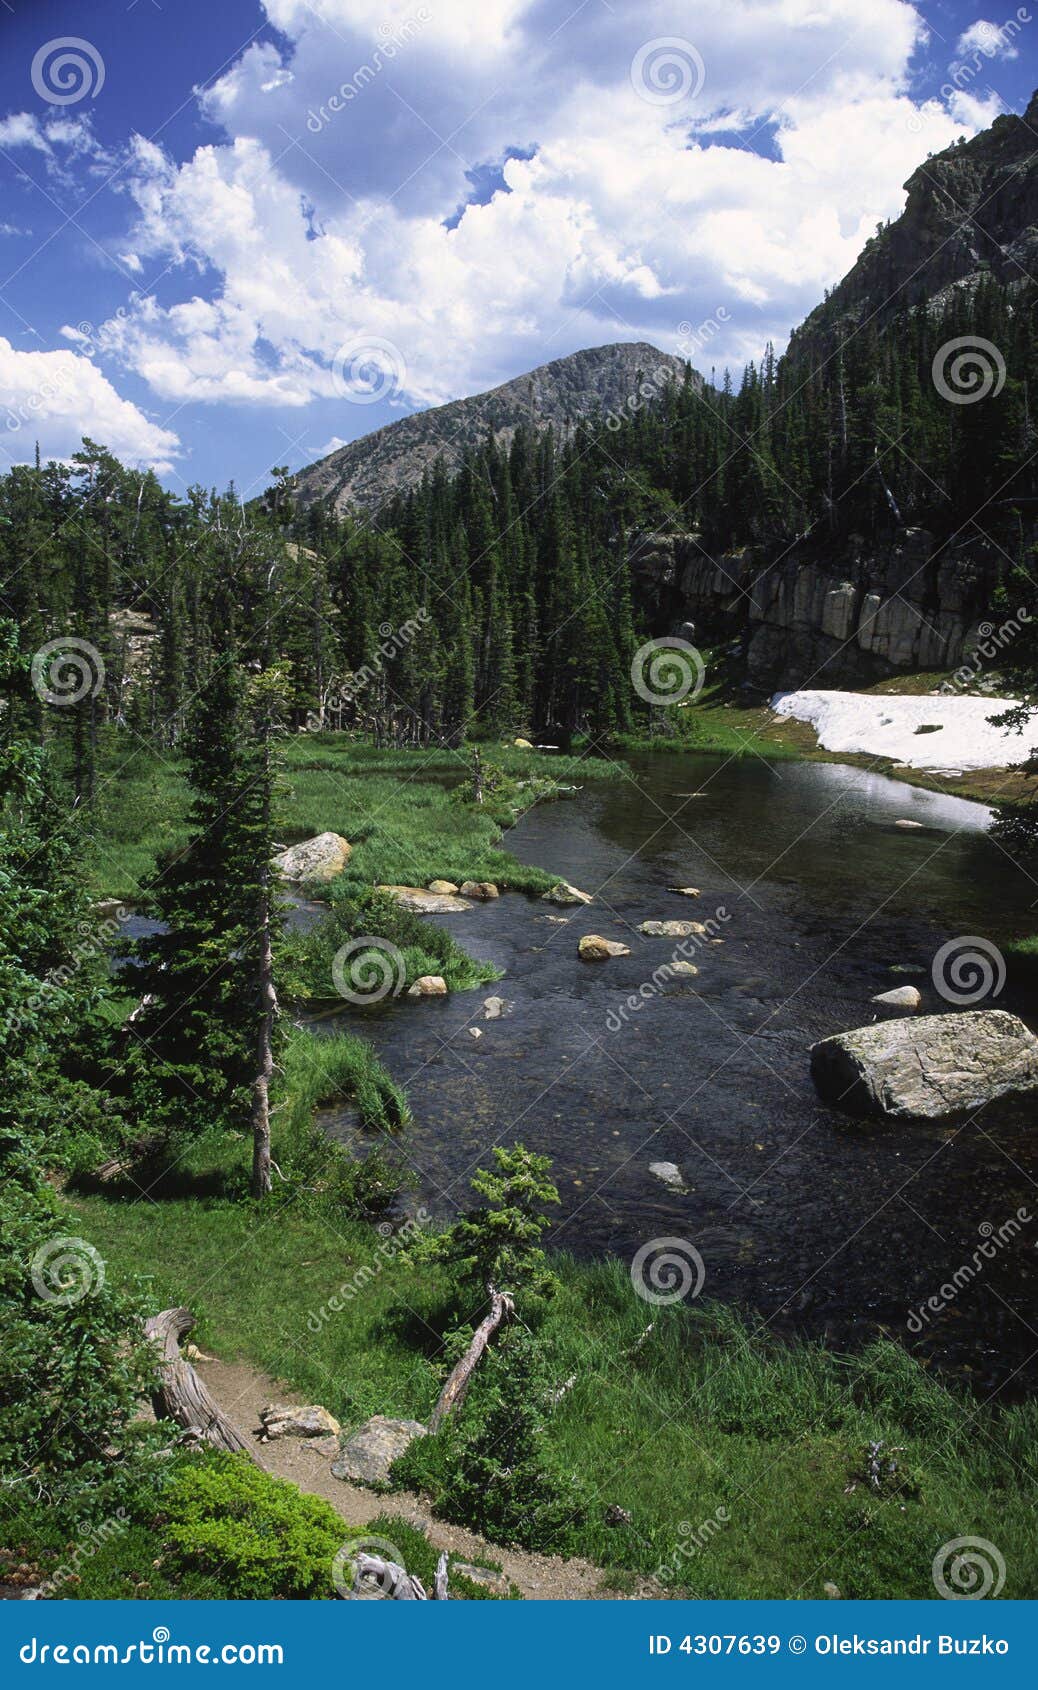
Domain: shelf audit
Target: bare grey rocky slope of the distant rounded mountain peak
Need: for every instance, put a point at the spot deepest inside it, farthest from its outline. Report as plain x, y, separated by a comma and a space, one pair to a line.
564, 393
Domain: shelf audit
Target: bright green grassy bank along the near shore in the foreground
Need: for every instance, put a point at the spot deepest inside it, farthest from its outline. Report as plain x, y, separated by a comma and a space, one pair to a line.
740, 1459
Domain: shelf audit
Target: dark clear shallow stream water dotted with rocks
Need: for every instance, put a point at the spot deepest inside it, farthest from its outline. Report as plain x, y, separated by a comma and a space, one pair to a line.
819, 1223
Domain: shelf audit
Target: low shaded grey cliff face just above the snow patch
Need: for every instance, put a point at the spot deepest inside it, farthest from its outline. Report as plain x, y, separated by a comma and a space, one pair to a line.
858, 616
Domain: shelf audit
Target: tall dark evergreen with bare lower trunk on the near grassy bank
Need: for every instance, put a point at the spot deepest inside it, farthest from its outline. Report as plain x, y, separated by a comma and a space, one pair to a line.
202, 1042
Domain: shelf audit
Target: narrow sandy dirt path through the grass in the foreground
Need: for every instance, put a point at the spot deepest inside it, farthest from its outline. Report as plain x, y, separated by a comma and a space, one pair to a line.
243, 1392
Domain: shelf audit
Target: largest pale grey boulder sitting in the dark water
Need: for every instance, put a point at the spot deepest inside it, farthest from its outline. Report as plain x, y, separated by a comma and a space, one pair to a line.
937, 1066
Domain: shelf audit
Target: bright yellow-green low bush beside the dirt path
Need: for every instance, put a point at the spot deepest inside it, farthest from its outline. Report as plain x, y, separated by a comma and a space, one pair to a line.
259, 1535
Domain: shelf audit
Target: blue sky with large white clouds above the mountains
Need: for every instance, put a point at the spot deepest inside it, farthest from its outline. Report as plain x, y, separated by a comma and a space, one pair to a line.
236, 234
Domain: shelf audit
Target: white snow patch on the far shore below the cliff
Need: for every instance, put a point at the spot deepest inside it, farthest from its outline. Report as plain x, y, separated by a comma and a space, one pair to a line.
895, 726
